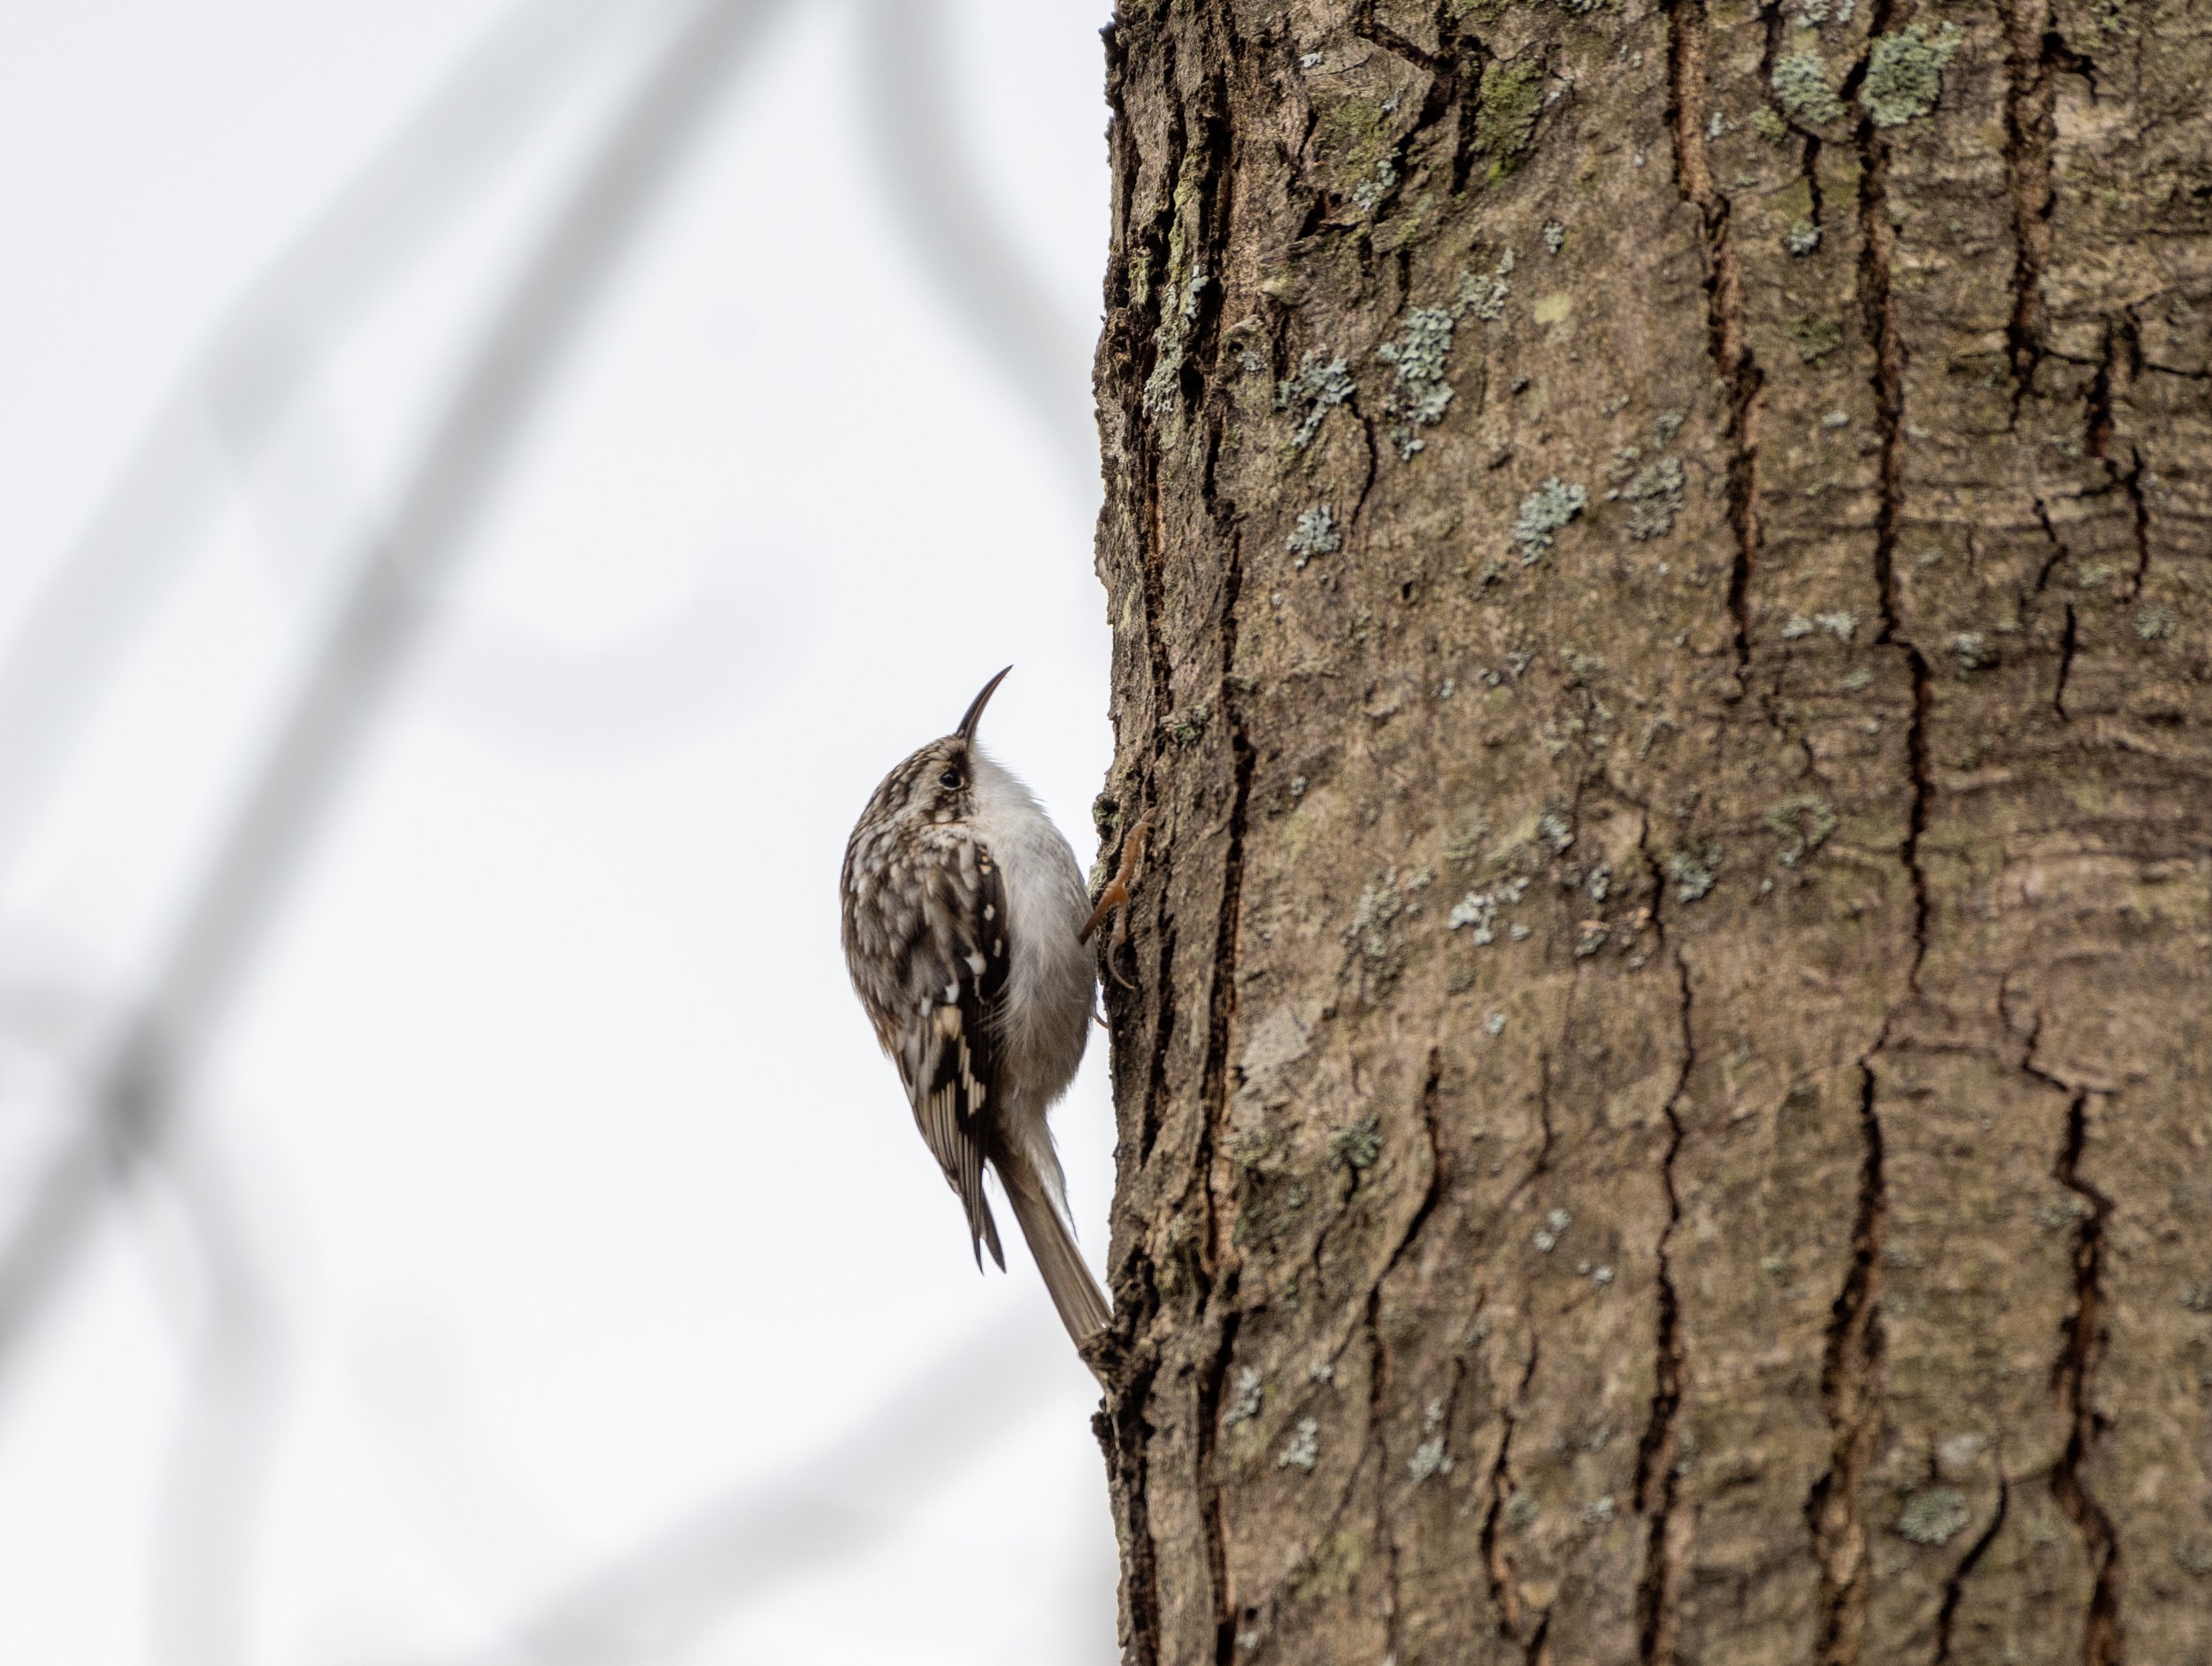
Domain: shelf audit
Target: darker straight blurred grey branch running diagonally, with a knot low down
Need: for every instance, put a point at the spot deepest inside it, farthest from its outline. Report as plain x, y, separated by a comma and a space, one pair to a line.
382, 618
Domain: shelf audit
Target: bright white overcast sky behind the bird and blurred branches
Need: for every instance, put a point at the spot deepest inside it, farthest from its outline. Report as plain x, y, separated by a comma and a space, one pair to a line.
596, 1245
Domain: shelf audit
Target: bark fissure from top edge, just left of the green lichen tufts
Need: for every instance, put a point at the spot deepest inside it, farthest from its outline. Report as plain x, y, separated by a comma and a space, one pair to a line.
1689, 98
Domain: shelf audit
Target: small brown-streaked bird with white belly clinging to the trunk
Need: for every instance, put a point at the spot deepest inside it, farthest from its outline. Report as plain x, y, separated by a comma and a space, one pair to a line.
963, 933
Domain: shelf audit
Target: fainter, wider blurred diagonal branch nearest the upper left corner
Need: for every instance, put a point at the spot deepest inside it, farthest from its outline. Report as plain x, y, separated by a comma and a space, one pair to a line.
253, 366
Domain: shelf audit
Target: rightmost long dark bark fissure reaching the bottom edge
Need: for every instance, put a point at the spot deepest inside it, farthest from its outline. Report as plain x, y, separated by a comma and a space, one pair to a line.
2074, 1375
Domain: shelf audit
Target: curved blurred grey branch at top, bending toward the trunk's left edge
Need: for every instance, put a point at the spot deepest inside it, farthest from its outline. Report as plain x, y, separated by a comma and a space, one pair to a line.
937, 200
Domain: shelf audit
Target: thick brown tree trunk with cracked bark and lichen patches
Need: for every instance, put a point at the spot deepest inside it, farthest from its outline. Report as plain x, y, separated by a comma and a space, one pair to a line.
1660, 585
